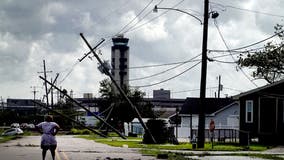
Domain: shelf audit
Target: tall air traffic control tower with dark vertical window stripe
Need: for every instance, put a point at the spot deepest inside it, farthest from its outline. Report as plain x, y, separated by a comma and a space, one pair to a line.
120, 60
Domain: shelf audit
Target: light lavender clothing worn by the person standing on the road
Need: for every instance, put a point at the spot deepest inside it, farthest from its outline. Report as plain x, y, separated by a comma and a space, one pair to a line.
48, 129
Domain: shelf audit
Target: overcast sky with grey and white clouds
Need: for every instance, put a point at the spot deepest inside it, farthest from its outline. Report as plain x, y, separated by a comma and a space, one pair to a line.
35, 30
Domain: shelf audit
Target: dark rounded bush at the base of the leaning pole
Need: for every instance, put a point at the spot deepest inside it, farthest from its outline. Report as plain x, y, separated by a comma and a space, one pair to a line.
158, 129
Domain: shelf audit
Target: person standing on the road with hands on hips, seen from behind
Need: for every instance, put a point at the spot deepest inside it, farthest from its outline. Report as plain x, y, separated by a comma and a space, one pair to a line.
48, 129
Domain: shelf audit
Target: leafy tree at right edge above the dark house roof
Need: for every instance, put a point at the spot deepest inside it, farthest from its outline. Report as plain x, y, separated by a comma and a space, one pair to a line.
268, 64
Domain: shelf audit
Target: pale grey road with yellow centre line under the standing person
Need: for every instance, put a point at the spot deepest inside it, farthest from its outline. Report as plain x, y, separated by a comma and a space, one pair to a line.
69, 148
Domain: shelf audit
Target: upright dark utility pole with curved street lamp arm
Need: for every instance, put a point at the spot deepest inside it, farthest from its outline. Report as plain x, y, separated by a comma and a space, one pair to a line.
201, 117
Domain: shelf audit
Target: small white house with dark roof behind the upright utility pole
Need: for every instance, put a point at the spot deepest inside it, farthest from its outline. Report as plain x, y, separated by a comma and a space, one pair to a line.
224, 112
